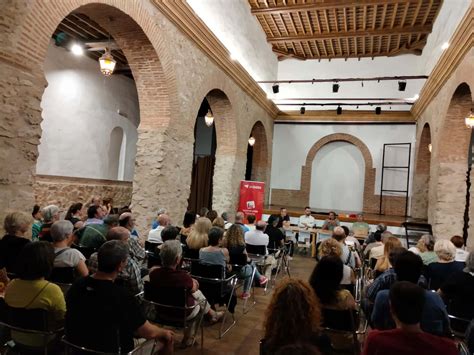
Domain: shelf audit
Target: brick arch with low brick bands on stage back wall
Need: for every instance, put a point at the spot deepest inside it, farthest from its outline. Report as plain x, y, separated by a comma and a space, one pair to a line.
391, 205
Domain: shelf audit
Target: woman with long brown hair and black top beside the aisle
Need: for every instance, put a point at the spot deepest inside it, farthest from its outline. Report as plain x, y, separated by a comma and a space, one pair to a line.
236, 246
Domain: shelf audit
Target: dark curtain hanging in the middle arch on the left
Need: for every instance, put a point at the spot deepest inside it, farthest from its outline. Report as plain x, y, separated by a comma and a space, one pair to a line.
201, 184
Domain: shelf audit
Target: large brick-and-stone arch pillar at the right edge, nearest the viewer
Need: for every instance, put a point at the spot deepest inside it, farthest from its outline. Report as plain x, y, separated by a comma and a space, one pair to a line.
452, 155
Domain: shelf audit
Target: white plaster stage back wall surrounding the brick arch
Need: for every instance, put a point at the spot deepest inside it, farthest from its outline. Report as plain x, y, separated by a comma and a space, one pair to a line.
292, 142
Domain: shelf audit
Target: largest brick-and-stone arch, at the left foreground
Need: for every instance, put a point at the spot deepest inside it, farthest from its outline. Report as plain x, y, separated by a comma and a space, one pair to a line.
134, 30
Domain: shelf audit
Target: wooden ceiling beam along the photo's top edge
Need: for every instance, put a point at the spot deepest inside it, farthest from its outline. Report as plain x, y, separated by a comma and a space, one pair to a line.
326, 5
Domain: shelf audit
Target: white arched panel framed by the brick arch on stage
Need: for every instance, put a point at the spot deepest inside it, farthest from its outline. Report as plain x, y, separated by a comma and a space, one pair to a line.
337, 178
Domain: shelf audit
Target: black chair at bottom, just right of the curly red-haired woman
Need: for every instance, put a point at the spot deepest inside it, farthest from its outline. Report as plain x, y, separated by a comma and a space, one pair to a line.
344, 322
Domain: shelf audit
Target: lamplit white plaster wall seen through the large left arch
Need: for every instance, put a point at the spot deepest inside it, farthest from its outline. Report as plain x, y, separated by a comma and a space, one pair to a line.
80, 110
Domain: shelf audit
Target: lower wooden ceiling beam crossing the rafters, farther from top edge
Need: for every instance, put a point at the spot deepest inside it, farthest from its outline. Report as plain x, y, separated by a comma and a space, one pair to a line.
367, 33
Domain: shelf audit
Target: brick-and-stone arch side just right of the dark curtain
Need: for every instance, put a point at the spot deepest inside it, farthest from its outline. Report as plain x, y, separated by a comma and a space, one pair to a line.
224, 197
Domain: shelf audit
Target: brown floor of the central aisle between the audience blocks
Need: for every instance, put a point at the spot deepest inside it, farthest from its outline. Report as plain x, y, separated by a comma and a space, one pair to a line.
244, 337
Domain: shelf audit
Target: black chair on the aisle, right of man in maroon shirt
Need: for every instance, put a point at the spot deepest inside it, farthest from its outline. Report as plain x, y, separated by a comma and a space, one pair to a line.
217, 287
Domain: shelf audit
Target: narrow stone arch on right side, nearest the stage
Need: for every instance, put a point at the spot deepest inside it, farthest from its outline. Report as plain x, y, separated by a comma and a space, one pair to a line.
421, 179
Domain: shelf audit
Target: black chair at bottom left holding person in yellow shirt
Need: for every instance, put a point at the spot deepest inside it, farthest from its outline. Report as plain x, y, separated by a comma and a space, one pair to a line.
28, 321
